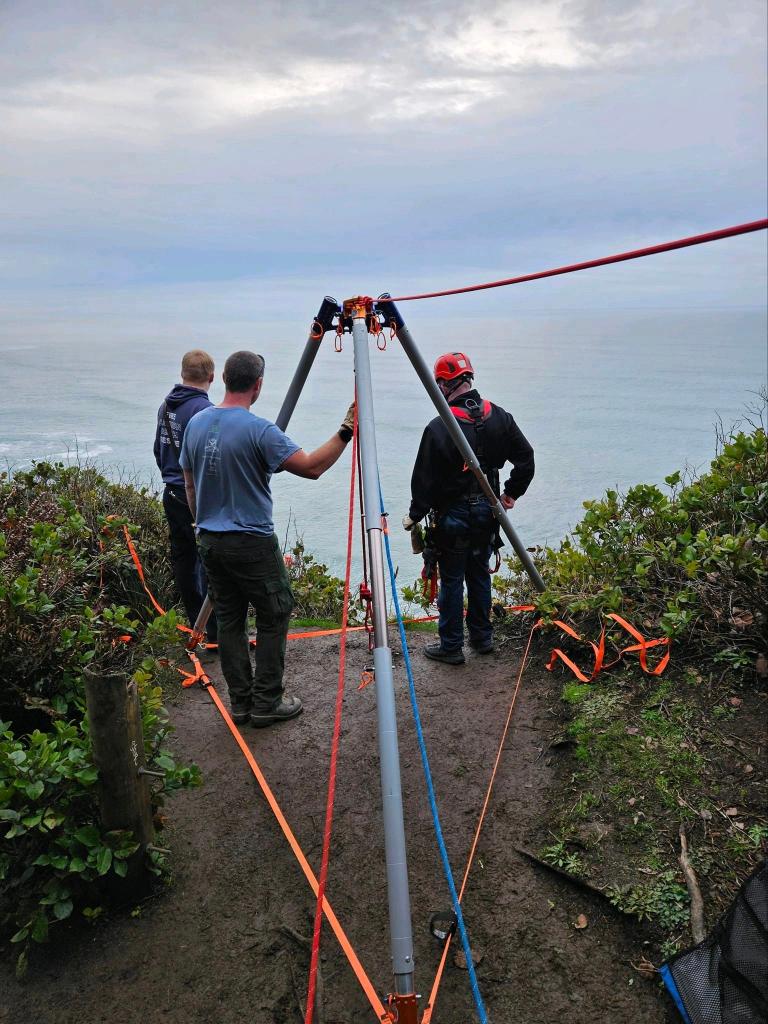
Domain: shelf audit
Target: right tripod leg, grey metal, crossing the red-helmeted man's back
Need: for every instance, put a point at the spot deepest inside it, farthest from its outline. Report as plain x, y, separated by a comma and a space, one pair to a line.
444, 411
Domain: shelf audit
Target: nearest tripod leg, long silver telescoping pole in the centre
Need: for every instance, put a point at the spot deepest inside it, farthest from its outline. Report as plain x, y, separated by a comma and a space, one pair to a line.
402, 945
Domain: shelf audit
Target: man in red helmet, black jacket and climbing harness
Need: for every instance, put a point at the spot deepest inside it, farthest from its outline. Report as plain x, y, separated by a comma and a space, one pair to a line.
464, 524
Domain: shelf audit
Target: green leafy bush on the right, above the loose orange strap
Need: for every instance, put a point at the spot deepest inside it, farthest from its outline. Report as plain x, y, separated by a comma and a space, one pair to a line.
690, 564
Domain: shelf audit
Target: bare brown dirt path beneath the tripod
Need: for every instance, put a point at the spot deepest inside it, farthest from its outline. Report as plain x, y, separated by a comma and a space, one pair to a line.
215, 949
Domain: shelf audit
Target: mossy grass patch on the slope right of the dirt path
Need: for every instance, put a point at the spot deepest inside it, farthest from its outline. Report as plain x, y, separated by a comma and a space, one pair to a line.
649, 757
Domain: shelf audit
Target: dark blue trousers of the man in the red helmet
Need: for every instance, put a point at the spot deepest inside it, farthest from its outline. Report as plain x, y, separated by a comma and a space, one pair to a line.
464, 541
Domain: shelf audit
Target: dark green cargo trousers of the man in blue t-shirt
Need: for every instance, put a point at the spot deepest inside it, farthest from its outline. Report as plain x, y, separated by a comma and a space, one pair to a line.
248, 570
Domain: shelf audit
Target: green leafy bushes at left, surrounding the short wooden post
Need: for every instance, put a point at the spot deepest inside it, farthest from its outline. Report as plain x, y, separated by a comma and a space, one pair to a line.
70, 598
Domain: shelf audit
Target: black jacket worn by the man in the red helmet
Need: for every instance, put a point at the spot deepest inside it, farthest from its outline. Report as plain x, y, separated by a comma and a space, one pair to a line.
440, 478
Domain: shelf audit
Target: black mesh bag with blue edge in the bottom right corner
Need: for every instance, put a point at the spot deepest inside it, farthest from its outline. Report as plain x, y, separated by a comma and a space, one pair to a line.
724, 979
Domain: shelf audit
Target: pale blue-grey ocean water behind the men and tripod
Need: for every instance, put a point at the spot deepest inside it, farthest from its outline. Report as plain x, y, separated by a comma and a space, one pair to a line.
607, 400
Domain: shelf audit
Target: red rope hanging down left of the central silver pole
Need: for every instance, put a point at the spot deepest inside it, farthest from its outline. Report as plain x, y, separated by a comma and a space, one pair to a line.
334, 745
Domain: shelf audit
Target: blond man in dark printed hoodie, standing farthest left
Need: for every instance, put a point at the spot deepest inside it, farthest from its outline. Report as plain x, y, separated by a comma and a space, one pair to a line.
181, 405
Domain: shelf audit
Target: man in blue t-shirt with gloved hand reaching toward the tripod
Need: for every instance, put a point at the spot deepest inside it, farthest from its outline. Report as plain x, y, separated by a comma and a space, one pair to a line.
229, 457
